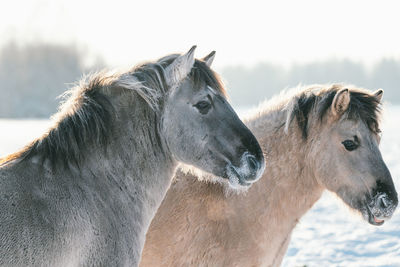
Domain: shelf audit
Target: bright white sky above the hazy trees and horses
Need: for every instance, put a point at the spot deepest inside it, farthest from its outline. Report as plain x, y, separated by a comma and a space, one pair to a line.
242, 32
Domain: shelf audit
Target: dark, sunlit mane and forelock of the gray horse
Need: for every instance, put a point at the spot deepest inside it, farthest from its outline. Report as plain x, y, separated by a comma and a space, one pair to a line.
87, 115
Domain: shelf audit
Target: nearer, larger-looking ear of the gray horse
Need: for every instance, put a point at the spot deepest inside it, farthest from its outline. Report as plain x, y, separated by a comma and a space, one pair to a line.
180, 68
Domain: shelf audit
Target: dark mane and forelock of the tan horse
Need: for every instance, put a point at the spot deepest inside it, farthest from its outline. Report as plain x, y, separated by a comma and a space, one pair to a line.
318, 99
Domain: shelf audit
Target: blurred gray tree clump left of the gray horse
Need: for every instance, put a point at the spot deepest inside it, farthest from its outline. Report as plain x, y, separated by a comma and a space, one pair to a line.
31, 78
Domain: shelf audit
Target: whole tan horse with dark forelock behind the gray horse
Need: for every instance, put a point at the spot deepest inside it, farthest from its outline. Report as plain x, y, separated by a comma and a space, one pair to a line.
317, 139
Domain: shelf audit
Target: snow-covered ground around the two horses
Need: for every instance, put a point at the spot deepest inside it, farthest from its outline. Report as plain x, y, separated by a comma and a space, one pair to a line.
329, 235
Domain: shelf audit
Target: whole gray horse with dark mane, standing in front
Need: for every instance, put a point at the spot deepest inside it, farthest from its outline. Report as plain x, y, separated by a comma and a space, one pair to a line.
85, 192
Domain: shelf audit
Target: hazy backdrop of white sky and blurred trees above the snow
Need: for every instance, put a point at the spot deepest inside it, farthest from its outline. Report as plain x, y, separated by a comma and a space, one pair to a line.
262, 46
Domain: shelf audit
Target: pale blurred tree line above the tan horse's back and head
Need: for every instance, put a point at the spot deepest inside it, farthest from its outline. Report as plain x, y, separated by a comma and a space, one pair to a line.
249, 86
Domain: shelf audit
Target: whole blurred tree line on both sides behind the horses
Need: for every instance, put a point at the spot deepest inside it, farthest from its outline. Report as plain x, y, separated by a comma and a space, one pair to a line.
31, 78
